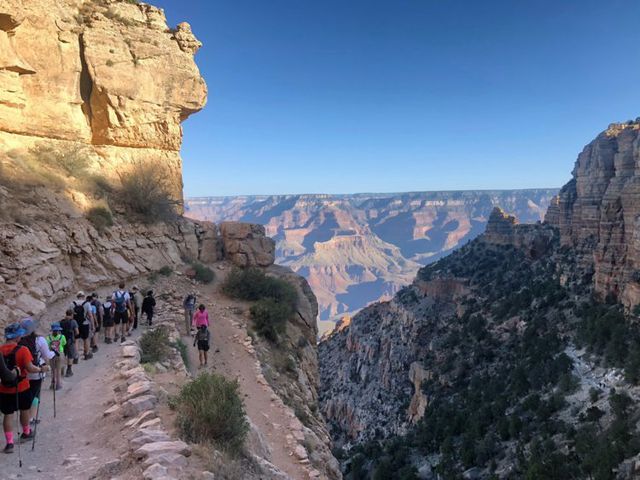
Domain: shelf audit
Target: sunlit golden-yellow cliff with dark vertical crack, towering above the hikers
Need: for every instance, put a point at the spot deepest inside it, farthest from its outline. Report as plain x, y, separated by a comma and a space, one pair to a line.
110, 75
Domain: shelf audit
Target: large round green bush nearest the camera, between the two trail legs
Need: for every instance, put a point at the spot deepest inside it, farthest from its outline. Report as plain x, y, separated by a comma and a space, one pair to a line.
210, 409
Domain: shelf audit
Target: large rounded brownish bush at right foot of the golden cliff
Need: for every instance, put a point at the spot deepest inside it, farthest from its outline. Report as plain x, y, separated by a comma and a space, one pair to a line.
146, 192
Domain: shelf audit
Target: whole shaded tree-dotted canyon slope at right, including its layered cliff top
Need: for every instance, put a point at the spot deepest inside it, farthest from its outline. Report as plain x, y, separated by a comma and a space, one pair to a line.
516, 356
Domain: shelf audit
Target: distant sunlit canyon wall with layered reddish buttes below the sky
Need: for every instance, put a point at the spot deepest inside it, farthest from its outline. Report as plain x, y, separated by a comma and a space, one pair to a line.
357, 249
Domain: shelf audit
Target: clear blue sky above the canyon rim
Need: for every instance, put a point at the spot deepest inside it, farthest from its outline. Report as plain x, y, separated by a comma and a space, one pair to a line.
343, 96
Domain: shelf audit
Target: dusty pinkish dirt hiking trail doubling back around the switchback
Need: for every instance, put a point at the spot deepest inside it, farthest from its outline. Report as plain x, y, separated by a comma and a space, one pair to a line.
81, 440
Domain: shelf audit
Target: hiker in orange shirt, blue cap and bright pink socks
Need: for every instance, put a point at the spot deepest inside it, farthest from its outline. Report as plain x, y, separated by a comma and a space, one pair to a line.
15, 396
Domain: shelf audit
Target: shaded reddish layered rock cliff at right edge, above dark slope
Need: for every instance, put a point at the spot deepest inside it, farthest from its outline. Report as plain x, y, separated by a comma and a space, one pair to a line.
597, 212
